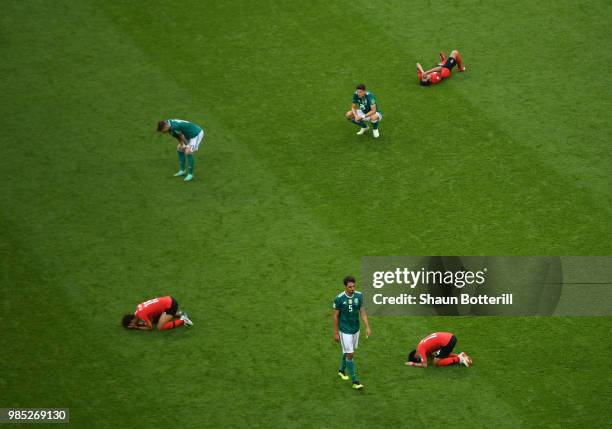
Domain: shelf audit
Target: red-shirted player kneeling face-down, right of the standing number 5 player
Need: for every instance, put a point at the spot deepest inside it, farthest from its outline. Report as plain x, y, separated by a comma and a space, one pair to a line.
439, 345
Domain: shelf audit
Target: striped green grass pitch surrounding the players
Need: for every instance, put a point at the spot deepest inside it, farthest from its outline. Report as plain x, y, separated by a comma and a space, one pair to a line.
510, 158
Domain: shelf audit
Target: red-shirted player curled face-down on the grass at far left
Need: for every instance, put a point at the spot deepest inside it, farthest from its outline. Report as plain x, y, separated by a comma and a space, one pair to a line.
162, 311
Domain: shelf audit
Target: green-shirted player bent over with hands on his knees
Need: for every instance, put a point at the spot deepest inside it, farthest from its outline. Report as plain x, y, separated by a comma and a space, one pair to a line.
189, 136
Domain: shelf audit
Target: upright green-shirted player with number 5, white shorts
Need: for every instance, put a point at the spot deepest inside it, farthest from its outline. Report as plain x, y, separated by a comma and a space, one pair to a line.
348, 306
